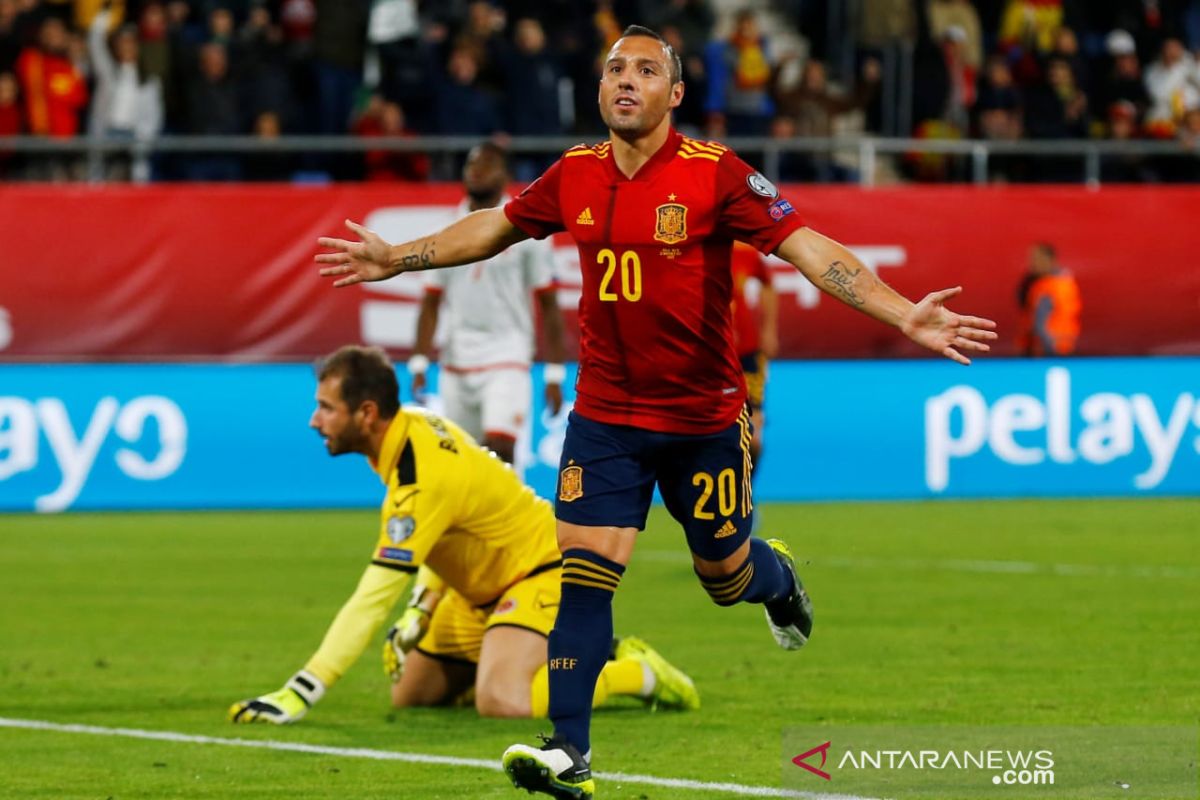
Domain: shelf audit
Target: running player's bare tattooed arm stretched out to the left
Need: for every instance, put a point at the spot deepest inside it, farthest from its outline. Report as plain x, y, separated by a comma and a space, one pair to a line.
476, 238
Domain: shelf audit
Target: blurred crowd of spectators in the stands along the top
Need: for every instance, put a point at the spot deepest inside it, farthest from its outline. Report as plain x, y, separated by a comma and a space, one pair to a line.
999, 70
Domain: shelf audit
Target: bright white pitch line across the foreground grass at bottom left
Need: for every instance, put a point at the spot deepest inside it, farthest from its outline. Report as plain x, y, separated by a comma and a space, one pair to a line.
412, 759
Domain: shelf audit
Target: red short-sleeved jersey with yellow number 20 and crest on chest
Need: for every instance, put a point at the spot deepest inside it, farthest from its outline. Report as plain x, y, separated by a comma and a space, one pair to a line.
656, 335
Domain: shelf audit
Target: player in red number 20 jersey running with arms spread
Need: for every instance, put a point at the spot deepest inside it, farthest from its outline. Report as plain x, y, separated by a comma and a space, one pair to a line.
661, 394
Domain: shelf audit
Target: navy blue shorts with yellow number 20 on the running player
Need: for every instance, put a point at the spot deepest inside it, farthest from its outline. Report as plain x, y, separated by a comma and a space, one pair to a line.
608, 474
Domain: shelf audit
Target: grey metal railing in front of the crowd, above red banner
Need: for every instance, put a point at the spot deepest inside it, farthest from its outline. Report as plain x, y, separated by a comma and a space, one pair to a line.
862, 155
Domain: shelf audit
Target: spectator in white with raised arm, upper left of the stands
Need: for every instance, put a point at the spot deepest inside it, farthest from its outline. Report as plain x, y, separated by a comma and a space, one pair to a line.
127, 104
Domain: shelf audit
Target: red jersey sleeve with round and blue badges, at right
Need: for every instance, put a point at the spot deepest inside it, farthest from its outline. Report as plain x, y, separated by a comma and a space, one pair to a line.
751, 208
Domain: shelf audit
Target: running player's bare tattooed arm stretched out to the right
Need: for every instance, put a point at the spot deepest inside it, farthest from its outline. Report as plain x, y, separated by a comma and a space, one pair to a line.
929, 323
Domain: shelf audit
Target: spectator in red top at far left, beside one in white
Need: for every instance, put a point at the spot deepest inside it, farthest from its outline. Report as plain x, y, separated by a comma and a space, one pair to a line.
53, 88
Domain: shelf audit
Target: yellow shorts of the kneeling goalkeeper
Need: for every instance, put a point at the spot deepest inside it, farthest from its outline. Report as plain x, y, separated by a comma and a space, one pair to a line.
457, 630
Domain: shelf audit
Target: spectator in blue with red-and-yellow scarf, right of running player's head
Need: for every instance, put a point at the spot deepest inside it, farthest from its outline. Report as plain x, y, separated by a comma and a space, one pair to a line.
740, 77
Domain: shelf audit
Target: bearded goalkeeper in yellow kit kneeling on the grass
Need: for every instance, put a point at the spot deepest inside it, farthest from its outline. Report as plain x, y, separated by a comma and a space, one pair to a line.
487, 561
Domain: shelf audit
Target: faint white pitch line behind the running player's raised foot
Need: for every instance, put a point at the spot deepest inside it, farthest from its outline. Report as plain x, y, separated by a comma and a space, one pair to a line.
969, 566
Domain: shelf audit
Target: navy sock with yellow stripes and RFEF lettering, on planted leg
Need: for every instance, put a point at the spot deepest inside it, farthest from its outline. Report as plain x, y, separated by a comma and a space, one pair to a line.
580, 642
